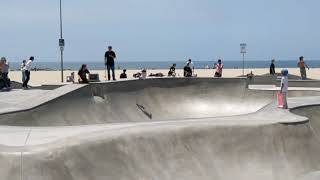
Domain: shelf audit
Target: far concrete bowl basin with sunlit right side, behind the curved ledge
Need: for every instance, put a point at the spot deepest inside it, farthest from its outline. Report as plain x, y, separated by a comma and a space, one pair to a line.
147, 101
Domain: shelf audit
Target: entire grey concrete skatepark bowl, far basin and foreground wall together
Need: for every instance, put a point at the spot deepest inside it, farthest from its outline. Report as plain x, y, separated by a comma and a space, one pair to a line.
164, 129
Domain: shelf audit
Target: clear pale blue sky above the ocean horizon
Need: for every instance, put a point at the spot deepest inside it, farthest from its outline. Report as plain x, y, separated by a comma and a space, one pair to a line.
163, 30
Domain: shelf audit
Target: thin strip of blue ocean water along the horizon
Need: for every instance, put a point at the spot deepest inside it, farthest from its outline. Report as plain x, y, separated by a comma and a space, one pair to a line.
165, 65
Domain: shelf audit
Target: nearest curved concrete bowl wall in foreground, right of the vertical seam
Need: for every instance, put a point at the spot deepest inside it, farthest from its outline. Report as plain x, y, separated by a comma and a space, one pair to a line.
202, 150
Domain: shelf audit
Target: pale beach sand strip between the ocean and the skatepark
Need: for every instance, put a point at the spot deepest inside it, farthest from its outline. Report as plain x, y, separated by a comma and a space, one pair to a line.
54, 77
